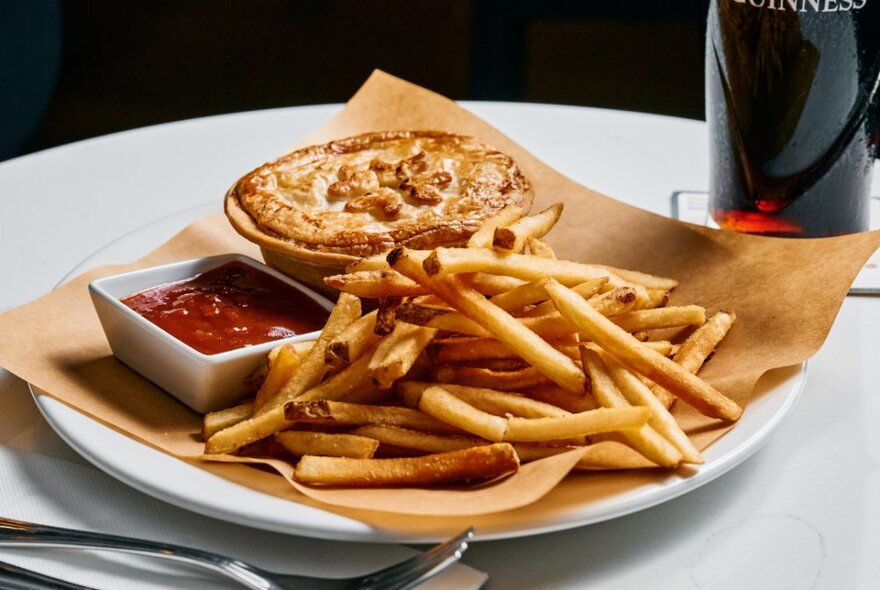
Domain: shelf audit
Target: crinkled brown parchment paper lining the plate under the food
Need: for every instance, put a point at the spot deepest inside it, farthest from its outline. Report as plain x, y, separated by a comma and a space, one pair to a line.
786, 294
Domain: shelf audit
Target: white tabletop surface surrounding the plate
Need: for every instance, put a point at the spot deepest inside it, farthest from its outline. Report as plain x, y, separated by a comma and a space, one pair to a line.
804, 512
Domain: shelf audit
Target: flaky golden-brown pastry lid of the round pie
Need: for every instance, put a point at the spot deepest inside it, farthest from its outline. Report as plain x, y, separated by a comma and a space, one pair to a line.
366, 194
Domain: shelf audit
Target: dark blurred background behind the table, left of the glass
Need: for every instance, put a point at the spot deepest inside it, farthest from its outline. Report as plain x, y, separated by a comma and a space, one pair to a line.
74, 69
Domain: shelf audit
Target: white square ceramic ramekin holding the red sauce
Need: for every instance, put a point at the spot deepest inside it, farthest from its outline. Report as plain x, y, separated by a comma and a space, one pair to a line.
204, 382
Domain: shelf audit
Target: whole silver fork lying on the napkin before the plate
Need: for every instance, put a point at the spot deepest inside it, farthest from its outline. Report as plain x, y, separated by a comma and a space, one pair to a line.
406, 574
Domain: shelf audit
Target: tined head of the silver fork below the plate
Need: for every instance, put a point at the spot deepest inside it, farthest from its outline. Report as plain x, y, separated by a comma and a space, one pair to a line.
419, 568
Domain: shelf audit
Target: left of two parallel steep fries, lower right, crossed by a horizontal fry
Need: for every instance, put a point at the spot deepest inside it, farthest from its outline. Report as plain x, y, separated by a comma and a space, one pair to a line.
646, 440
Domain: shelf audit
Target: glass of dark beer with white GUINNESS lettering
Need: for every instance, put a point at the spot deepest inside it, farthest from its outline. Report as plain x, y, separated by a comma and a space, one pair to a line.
791, 88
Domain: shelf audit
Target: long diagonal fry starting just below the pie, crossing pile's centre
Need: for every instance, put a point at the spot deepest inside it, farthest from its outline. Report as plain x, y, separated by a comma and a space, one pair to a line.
474, 305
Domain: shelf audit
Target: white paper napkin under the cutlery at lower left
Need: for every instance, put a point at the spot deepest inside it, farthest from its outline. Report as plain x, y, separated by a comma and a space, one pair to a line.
43, 480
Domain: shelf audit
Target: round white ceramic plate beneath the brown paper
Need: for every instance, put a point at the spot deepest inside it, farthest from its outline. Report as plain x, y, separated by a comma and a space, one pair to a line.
567, 506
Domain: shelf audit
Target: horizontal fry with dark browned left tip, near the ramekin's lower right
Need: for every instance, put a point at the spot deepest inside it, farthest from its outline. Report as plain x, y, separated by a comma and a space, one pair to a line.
349, 414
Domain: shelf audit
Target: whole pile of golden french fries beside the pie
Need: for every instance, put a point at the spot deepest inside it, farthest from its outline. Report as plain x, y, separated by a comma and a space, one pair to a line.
476, 359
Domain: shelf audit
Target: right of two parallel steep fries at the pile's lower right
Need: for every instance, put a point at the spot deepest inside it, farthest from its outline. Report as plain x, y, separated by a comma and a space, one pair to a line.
637, 393
